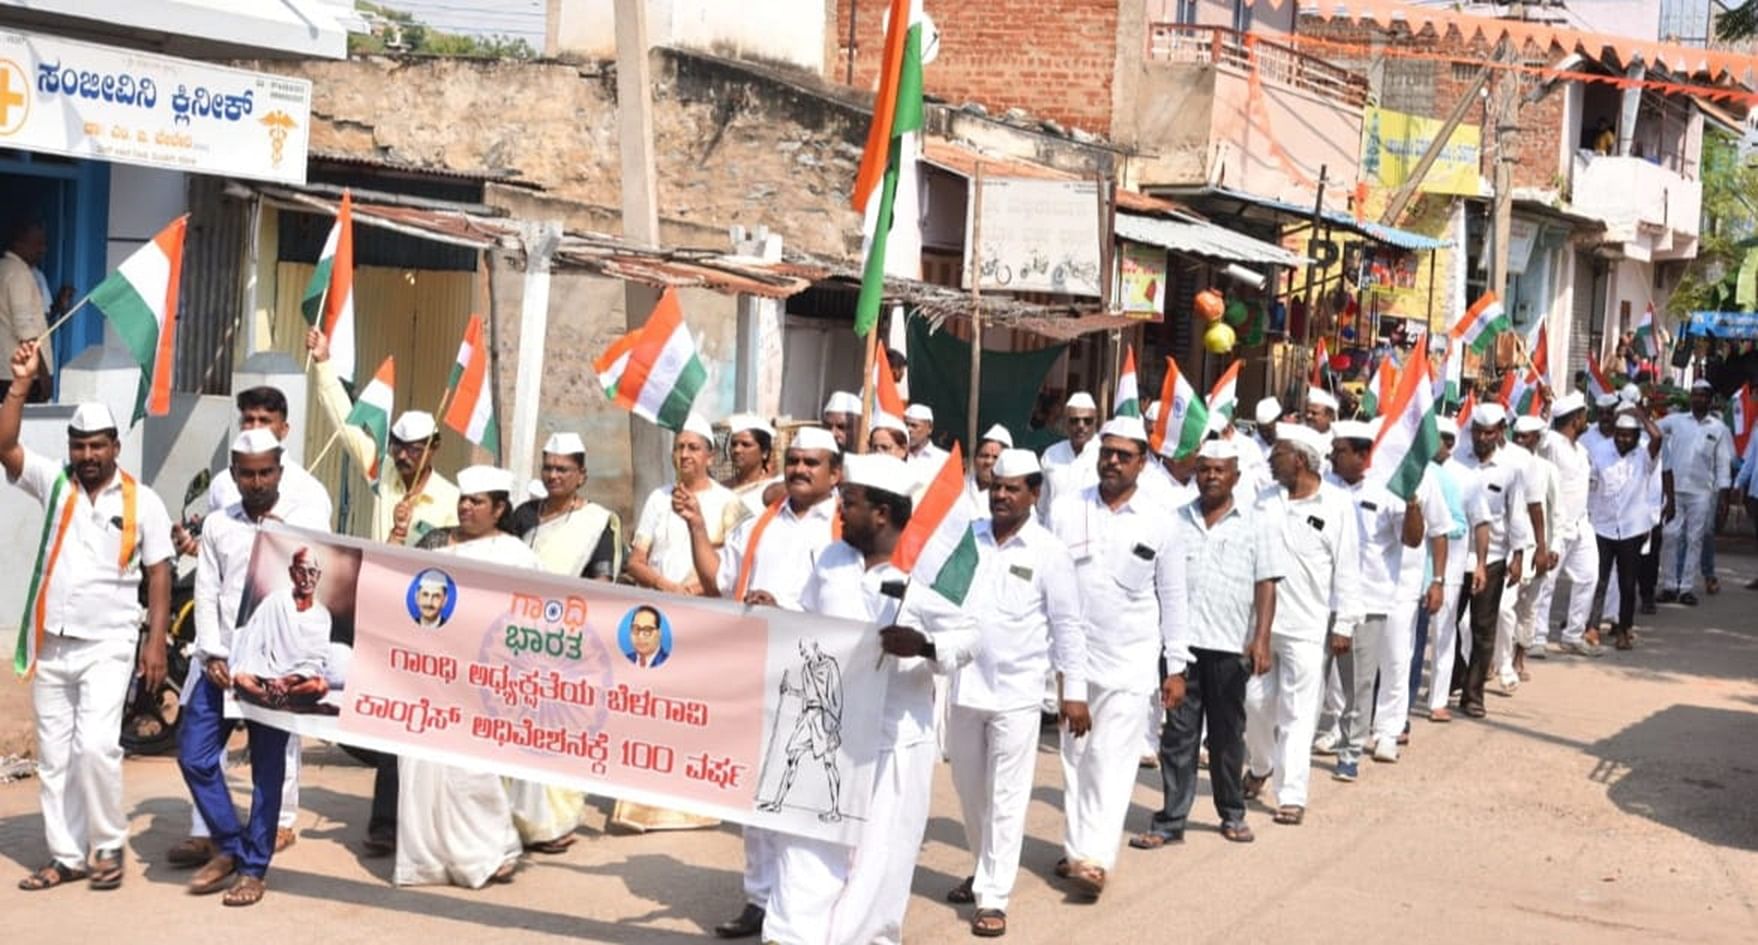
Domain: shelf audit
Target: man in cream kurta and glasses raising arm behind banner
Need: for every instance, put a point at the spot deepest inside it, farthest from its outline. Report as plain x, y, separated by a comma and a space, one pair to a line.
409, 501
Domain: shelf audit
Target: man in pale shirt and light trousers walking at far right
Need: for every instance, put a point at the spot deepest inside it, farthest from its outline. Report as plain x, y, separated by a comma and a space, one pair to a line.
1701, 459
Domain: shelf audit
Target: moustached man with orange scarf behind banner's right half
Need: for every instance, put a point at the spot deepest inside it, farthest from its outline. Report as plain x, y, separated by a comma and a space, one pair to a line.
767, 563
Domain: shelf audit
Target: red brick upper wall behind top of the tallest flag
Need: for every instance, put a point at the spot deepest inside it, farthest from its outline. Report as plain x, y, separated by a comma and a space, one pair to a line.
1054, 59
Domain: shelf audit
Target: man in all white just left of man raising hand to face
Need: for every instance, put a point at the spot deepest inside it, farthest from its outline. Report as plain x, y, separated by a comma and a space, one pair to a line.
1574, 545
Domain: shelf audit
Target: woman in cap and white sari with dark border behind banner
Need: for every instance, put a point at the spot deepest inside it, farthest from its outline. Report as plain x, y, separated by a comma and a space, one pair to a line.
570, 533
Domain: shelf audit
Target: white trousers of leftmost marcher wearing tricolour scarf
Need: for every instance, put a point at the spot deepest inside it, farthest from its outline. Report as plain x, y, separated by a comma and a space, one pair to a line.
78, 695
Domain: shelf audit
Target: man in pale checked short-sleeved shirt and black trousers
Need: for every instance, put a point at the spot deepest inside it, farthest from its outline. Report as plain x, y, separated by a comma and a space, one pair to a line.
1233, 561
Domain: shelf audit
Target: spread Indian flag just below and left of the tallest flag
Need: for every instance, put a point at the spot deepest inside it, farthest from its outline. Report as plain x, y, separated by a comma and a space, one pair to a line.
655, 372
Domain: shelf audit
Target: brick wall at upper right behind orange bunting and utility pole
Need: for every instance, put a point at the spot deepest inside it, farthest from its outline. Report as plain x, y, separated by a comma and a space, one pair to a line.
1432, 87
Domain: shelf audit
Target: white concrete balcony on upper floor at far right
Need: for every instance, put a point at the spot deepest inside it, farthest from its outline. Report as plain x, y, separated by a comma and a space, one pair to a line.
1650, 210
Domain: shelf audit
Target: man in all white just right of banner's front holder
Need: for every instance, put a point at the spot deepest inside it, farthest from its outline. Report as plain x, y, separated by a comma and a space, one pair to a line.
1029, 602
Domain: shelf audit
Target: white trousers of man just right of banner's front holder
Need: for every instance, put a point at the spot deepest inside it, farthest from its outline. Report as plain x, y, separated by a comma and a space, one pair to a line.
994, 760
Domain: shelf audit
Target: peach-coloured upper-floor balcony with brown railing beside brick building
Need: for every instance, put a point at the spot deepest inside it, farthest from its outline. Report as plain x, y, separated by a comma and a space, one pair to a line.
1216, 108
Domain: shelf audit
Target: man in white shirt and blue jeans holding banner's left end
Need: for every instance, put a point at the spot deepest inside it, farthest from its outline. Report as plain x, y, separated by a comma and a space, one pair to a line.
222, 573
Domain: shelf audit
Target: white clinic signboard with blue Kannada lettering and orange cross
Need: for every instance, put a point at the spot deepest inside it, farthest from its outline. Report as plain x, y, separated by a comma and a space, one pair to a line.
87, 101
